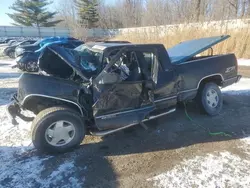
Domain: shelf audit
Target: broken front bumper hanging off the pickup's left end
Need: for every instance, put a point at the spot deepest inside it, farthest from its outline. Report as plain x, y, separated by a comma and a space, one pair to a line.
13, 110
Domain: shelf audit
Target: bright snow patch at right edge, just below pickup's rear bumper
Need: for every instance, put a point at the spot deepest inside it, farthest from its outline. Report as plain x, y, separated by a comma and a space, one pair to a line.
240, 88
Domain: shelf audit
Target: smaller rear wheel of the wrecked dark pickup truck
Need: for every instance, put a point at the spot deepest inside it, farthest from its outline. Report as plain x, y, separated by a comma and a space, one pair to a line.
211, 108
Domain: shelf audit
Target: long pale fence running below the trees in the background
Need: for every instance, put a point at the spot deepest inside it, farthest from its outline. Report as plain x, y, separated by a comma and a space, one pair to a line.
15, 31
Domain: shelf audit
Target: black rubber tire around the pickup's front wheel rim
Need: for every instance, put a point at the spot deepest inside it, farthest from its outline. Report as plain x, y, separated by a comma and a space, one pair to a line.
47, 117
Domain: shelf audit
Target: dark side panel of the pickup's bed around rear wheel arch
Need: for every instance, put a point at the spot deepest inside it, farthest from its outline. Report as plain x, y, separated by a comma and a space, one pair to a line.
192, 72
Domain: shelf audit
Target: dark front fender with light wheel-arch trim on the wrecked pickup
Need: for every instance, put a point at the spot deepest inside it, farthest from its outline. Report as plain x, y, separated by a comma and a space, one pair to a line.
33, 85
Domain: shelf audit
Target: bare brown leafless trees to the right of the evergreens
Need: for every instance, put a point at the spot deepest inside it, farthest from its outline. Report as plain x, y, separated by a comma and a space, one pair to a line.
134, 13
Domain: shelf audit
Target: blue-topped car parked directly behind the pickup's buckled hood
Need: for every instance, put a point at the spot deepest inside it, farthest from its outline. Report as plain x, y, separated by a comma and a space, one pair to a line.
28, 61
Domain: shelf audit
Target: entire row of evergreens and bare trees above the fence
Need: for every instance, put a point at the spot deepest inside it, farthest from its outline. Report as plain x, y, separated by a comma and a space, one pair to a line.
125, 13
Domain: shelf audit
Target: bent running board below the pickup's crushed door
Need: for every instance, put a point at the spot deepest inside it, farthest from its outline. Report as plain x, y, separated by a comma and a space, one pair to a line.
104, 133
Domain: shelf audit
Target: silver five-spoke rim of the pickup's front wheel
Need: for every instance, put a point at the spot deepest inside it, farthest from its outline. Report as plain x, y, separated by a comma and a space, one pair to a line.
60, 133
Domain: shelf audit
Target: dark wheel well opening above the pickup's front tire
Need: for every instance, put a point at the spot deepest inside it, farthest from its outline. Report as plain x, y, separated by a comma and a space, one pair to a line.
36, 104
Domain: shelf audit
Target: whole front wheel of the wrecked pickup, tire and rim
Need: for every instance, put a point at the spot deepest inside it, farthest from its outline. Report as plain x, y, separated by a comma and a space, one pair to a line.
57, 129
